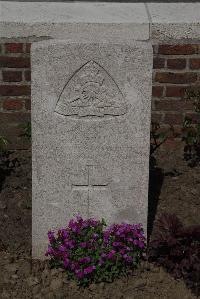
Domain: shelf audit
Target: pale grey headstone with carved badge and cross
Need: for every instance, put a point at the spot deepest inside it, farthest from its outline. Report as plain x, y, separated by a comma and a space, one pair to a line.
90, 130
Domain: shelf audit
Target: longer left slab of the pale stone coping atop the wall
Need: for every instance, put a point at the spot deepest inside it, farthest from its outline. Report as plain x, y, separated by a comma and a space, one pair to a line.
93, 21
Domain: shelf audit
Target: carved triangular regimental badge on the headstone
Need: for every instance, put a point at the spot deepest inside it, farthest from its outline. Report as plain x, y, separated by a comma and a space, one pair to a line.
91, 91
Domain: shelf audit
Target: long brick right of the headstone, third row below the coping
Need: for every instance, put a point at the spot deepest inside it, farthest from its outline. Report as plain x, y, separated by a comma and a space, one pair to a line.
175, 78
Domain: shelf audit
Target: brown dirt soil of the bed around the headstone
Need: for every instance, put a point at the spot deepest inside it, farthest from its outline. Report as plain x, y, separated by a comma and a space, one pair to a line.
174, 187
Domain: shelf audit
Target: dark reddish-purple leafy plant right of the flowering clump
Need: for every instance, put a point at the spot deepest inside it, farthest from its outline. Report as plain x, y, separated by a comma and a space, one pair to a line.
177, 248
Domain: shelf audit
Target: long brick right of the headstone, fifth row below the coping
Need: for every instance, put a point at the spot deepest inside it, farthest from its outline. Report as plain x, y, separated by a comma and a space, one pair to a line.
173, 105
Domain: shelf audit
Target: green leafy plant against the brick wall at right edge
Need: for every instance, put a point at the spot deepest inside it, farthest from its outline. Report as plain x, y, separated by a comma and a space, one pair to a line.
190, 131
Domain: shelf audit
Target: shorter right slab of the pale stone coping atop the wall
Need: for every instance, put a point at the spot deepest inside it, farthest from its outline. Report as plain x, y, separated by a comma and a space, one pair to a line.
174, 21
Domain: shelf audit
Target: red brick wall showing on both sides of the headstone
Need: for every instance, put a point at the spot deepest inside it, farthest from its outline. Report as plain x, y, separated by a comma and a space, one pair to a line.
175, 68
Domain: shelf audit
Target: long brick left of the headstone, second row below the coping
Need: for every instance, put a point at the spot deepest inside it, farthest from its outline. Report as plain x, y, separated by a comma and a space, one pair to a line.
14, 62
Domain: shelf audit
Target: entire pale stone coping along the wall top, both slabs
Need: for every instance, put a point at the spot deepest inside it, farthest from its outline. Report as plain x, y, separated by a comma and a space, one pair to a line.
168, 21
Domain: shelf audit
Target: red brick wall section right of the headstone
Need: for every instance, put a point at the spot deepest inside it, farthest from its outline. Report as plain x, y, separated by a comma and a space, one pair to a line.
175, 68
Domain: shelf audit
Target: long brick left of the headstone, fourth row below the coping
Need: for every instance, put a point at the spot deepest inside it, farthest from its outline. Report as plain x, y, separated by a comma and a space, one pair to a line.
15, 90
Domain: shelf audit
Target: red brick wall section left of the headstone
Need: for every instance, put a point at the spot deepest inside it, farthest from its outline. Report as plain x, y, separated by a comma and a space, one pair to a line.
15, 91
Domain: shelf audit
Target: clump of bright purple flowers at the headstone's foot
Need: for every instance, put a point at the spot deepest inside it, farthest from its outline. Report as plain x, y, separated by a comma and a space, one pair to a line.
89, 252
